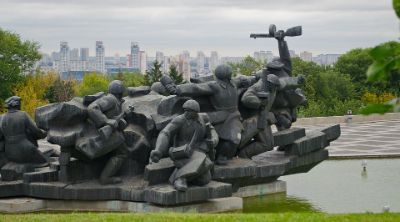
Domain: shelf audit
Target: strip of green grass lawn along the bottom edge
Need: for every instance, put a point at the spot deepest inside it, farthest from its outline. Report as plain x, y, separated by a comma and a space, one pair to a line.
98, 217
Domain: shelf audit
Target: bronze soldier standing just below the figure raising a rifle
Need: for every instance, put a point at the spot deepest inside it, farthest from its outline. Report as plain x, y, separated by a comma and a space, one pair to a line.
257, 136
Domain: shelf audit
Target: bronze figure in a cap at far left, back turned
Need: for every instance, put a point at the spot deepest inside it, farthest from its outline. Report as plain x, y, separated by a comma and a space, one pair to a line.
19, 135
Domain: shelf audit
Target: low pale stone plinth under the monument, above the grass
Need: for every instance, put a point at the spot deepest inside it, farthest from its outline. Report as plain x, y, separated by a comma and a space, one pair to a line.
22, 205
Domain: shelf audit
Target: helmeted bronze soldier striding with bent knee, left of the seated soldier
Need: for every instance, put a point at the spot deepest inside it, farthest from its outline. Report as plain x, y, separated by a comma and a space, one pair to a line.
106, 113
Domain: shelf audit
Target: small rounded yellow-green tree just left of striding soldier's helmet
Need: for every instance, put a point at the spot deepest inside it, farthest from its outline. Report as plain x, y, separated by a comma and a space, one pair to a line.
93, 83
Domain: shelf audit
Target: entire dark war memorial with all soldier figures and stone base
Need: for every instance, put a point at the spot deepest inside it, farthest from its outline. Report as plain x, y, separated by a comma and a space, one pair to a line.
164, 146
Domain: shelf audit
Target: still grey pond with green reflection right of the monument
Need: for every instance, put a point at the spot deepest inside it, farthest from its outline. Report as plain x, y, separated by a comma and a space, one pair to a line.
337, 186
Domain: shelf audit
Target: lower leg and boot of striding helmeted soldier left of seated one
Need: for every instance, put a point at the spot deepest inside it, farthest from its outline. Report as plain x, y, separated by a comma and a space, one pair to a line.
113, 165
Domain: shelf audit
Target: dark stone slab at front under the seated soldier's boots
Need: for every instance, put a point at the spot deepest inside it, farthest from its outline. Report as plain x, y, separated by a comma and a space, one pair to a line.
166, 195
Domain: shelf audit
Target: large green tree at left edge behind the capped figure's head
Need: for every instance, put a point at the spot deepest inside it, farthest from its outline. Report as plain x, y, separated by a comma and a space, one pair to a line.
17, 57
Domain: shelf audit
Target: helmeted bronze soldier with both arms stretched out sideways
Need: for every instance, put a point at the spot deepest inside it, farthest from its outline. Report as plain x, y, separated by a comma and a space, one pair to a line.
224, 96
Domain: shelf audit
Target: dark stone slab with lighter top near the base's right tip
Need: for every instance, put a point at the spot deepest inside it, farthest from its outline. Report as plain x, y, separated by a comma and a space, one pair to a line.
311, 142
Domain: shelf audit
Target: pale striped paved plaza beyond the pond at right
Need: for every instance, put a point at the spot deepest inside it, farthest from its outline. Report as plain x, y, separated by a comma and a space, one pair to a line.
371, 139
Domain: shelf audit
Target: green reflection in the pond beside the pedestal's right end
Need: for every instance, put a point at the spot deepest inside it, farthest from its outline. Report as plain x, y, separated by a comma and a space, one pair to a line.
275, 203
